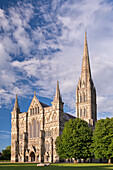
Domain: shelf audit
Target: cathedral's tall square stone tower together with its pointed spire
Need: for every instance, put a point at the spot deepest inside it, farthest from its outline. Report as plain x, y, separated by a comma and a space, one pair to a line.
86, 107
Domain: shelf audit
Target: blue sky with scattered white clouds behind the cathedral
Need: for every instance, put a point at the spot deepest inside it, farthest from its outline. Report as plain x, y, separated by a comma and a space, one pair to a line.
42, 42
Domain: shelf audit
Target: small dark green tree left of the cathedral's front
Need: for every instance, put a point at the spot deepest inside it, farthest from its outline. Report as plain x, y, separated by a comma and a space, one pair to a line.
6, 153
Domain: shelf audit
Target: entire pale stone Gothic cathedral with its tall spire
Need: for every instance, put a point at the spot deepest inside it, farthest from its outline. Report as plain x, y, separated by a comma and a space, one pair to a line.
33, 133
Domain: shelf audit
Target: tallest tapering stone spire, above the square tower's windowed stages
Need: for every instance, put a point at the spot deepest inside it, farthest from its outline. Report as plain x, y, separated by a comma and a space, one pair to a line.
86, 71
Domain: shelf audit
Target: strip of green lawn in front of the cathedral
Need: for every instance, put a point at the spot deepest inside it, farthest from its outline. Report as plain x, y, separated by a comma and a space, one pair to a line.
65, 166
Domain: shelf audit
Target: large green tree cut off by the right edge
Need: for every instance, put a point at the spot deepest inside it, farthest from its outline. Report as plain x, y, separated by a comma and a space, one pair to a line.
103, 139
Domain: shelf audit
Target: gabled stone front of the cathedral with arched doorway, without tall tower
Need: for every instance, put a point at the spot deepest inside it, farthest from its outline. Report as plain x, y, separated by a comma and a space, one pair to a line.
34, 132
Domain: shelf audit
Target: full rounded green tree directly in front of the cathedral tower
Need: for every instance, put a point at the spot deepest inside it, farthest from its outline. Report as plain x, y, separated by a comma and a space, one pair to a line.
75, 141
